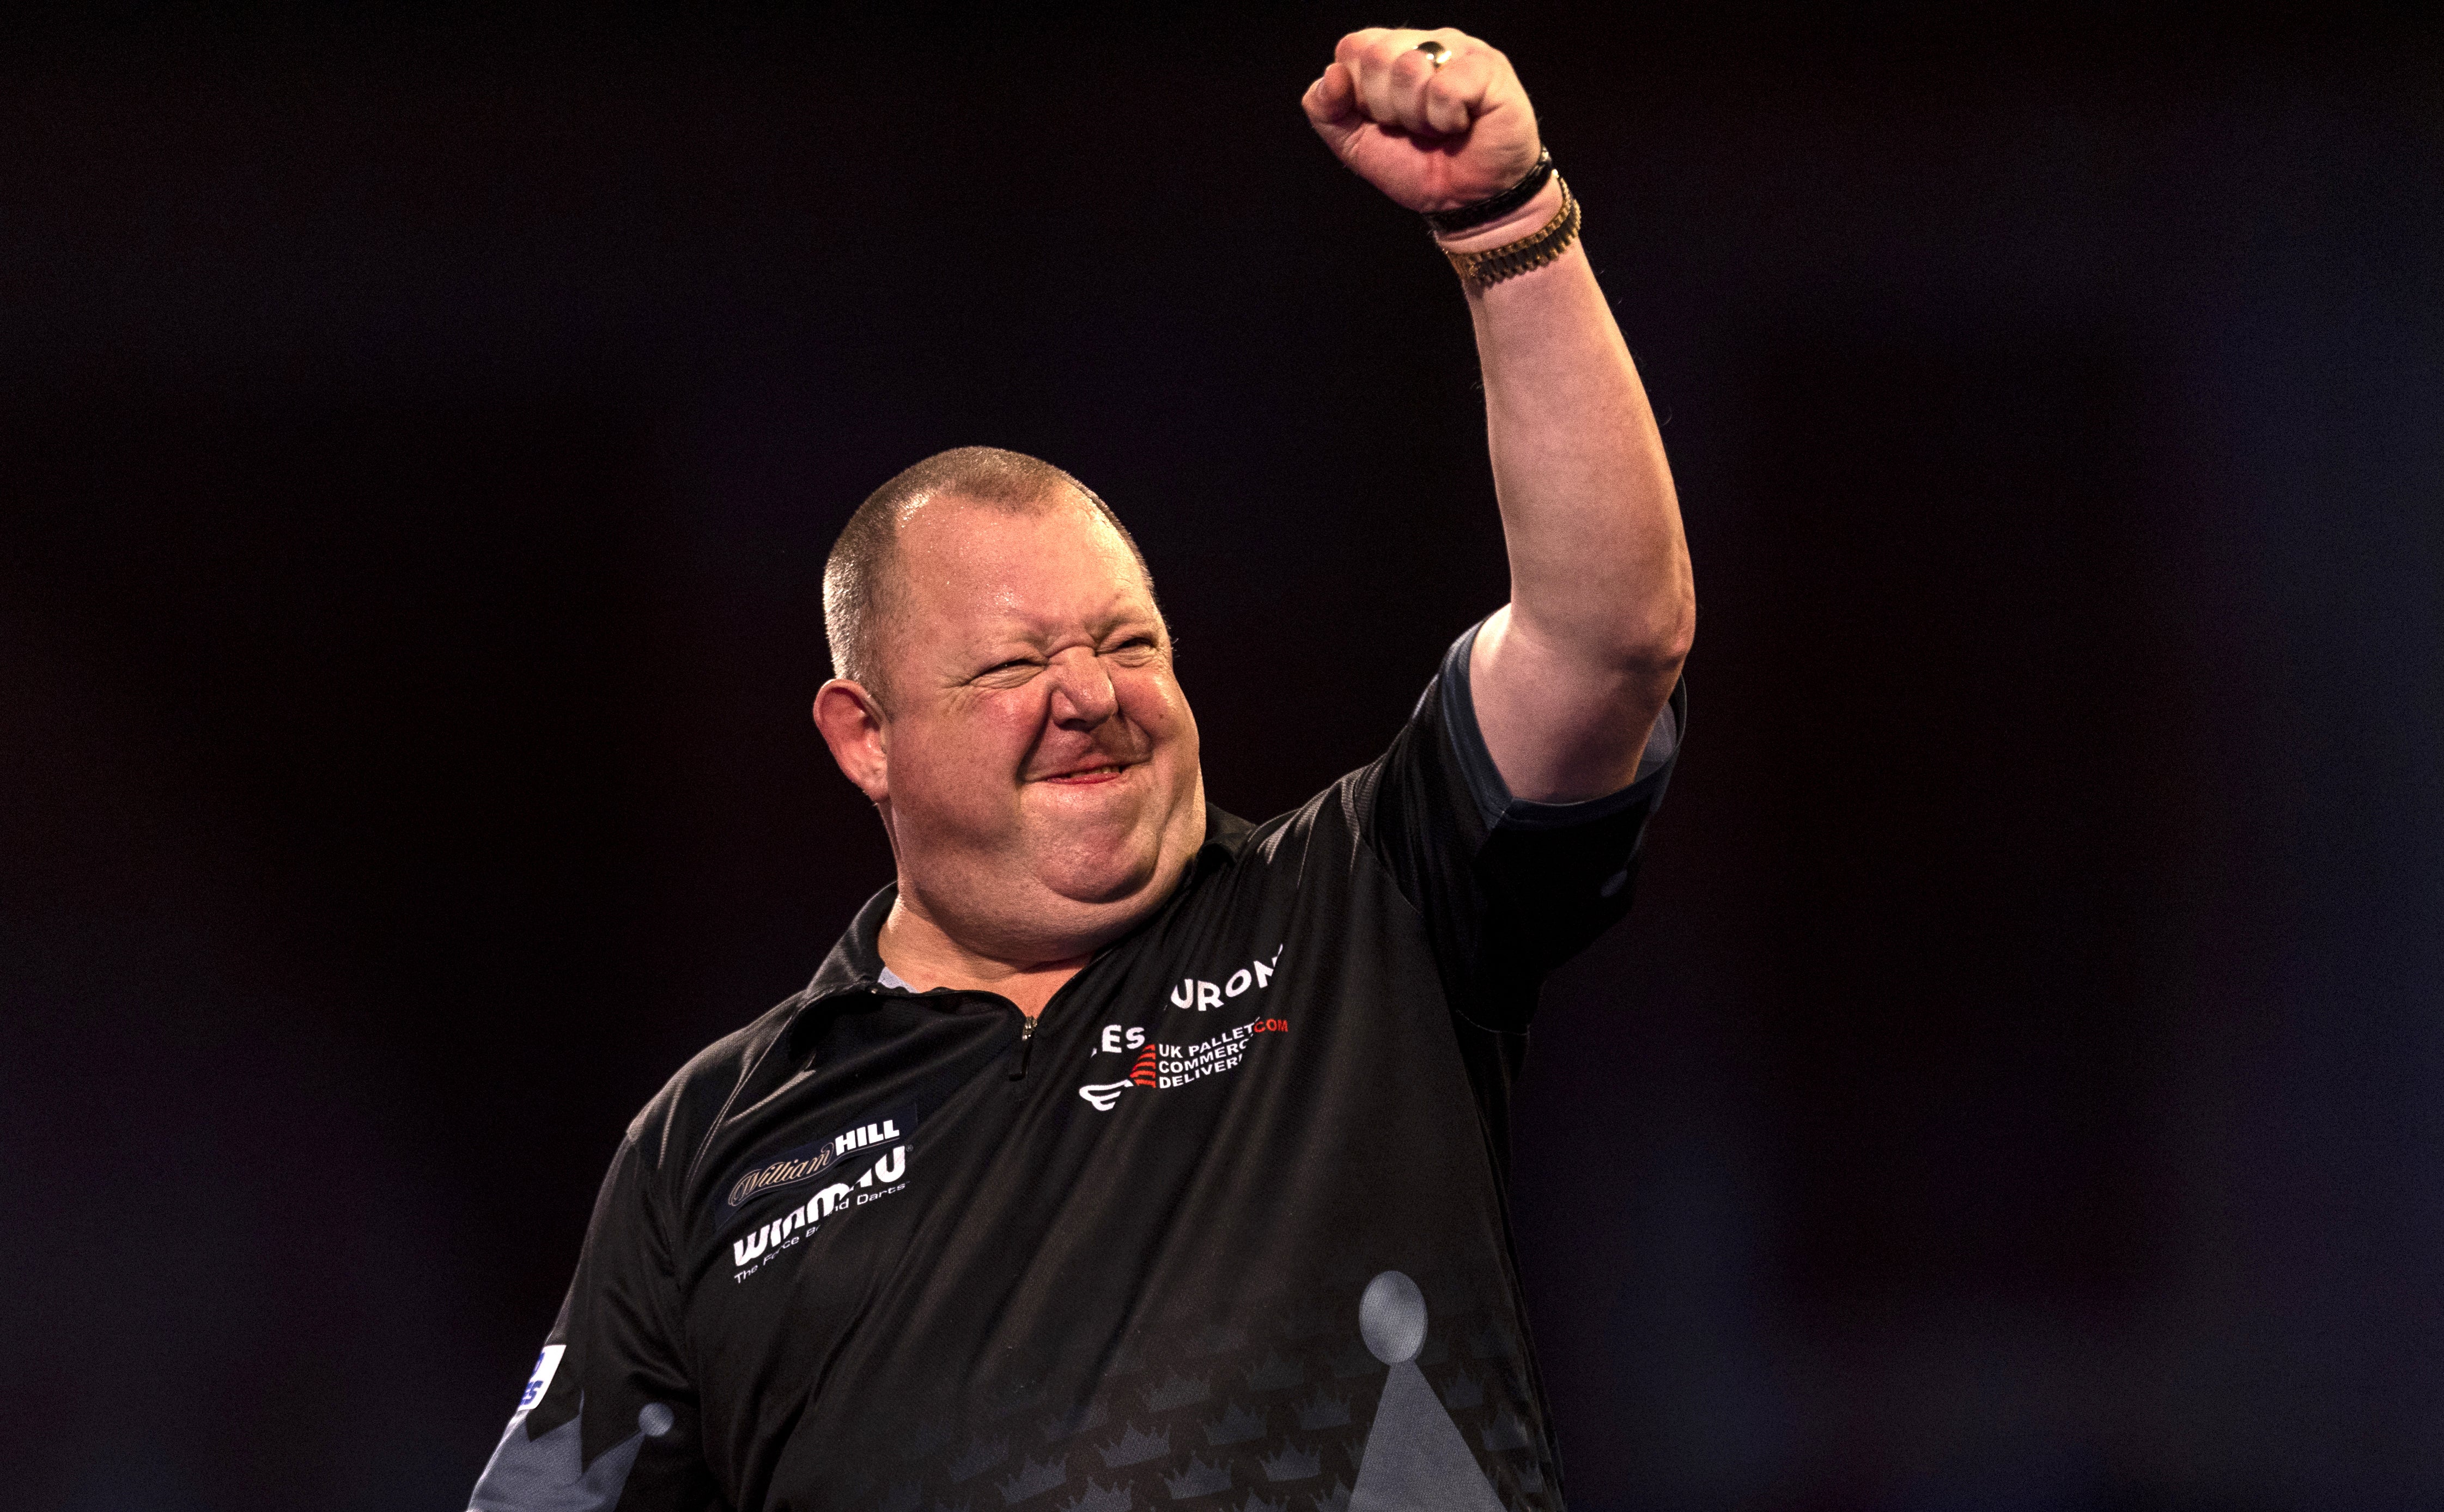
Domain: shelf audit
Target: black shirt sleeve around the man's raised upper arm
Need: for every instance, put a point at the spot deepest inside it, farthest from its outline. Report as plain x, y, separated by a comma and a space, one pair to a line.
1509, 890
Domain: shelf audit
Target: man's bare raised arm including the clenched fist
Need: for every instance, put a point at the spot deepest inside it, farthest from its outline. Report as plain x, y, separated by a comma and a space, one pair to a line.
1575, 671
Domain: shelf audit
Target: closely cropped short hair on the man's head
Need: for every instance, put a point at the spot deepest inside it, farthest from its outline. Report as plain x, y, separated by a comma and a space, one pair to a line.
862, 573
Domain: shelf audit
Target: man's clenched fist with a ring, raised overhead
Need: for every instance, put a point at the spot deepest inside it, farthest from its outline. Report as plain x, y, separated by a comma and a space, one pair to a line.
1429, 138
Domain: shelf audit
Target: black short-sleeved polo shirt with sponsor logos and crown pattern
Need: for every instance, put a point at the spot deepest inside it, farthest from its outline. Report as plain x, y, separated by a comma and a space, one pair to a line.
888, 1249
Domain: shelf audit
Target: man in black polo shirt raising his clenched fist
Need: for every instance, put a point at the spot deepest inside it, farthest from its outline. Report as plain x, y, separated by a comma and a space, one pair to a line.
1125, 1154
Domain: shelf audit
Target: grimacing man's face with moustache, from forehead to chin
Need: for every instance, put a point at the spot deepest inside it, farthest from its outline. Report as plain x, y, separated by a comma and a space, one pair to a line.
1042, 766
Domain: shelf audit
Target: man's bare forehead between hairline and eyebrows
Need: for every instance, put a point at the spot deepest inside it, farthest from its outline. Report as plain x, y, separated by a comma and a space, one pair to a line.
976, 570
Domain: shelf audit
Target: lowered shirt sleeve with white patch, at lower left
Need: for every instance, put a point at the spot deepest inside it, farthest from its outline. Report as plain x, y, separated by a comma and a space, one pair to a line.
610, 1420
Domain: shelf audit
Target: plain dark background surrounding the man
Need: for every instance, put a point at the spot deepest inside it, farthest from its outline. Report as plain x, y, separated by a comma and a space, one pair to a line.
2022, 1083
